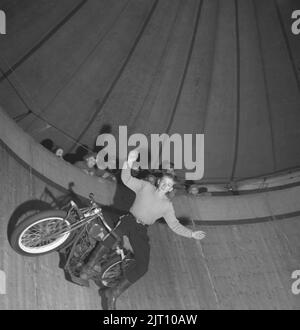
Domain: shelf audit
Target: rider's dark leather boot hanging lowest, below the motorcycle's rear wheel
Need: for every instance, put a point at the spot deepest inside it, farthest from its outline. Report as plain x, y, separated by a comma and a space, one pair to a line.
109, 296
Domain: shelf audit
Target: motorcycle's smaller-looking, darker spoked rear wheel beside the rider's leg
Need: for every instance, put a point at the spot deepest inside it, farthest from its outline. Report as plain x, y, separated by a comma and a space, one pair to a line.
114, 270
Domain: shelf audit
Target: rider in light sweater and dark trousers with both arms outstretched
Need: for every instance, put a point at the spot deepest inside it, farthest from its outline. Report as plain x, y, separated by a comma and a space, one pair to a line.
151, 203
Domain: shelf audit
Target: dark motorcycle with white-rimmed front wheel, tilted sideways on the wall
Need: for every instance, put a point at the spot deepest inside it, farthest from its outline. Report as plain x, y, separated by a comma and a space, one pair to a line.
77, 233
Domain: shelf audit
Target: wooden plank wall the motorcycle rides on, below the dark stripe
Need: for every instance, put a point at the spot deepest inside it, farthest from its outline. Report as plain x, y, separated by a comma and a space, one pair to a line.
235, 267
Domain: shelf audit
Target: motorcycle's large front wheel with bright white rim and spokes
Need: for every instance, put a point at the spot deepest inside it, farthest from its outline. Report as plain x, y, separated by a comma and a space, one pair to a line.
41, 233
